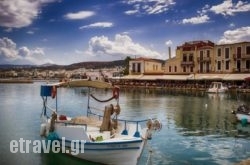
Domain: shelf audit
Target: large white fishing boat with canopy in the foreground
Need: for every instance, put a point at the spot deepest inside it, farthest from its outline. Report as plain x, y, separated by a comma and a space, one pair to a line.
106, 138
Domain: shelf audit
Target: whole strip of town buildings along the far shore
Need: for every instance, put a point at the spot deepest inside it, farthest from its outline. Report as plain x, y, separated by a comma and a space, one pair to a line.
195, 62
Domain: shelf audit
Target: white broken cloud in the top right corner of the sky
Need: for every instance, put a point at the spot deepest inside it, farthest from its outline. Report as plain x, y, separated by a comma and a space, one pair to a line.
228, 8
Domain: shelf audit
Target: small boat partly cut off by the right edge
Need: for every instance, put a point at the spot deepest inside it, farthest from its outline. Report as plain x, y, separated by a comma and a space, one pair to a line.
242, 113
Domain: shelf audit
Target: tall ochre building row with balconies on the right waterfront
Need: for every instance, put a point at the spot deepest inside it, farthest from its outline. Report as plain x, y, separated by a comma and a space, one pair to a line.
206, 57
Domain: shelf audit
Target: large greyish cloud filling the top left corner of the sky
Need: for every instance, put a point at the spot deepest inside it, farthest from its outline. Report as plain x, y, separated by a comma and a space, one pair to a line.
20, 13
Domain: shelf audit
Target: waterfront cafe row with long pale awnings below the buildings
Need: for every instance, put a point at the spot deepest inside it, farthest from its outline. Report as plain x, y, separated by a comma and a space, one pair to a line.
182, 81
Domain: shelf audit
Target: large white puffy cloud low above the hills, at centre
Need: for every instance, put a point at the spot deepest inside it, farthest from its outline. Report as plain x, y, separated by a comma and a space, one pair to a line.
122, 46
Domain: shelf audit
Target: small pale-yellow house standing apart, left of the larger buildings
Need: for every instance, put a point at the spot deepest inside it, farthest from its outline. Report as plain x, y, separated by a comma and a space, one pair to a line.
145, 66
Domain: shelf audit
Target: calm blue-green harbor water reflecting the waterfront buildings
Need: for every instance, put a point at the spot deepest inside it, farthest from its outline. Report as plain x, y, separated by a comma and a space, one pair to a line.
198, 128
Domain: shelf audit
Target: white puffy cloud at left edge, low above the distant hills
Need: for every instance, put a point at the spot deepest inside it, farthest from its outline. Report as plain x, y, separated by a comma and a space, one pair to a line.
10, 54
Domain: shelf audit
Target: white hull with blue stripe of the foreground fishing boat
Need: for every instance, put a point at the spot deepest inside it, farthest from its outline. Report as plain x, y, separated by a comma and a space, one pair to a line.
115, 153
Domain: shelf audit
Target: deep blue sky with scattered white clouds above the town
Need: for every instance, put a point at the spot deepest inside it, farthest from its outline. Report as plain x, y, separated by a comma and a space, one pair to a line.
70, 31
